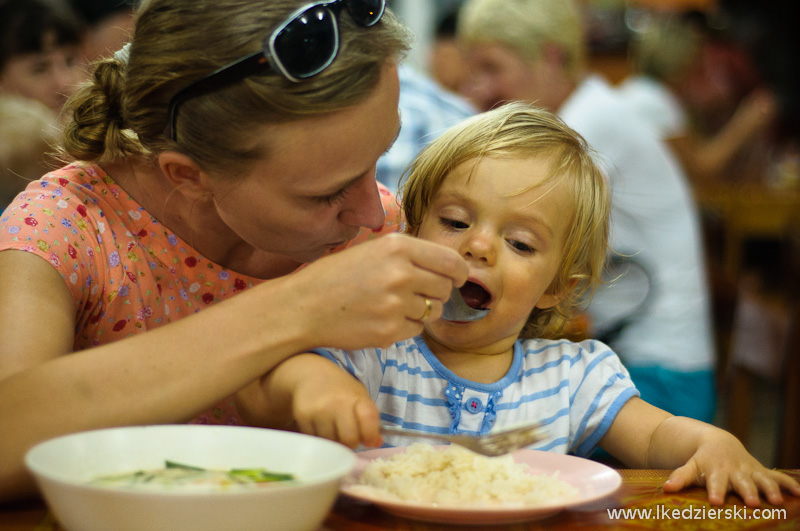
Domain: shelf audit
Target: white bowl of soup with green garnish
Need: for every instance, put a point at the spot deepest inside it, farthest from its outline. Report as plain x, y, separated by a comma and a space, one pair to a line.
64, 466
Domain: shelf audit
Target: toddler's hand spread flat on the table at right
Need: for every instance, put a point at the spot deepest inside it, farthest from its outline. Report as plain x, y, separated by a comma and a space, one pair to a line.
721, 464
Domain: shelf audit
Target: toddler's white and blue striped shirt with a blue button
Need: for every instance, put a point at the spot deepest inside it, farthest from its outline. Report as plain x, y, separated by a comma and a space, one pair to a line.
574, 389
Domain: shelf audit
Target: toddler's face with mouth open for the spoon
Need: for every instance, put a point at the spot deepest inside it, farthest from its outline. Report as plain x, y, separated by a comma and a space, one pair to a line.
511, 230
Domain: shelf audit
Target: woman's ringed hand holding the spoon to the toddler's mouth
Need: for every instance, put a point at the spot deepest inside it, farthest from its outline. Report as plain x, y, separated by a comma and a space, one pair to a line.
374, 294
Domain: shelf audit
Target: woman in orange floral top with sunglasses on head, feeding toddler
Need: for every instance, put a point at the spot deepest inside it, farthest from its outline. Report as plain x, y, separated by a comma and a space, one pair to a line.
219, 155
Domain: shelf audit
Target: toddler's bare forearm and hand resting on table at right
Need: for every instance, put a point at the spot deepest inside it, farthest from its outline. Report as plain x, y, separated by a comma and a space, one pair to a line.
644, 436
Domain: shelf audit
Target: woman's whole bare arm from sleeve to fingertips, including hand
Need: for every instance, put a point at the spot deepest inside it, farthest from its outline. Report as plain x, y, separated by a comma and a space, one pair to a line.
369, 295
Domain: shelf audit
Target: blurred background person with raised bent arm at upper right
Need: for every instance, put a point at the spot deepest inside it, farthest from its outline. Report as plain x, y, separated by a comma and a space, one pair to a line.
667, 58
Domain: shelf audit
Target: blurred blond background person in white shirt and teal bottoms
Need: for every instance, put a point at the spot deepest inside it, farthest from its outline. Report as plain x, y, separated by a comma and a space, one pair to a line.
534, 51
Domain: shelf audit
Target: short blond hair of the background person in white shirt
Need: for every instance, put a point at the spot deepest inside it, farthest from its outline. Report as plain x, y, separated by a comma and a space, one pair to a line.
526, 27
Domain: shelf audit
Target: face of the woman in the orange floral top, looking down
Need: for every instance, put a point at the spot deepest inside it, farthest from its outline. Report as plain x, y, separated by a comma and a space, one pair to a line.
316, 189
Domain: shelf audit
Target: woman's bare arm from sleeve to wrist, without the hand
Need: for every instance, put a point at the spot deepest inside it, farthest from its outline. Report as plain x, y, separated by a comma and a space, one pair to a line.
166, 375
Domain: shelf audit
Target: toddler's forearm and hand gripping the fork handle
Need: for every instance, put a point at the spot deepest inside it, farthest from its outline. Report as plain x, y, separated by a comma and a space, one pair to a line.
318, 396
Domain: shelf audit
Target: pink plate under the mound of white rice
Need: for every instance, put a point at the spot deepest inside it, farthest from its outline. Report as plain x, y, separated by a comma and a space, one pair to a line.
593, 481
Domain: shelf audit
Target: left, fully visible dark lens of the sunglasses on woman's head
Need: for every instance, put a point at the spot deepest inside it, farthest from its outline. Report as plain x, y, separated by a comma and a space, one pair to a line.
308, 44
